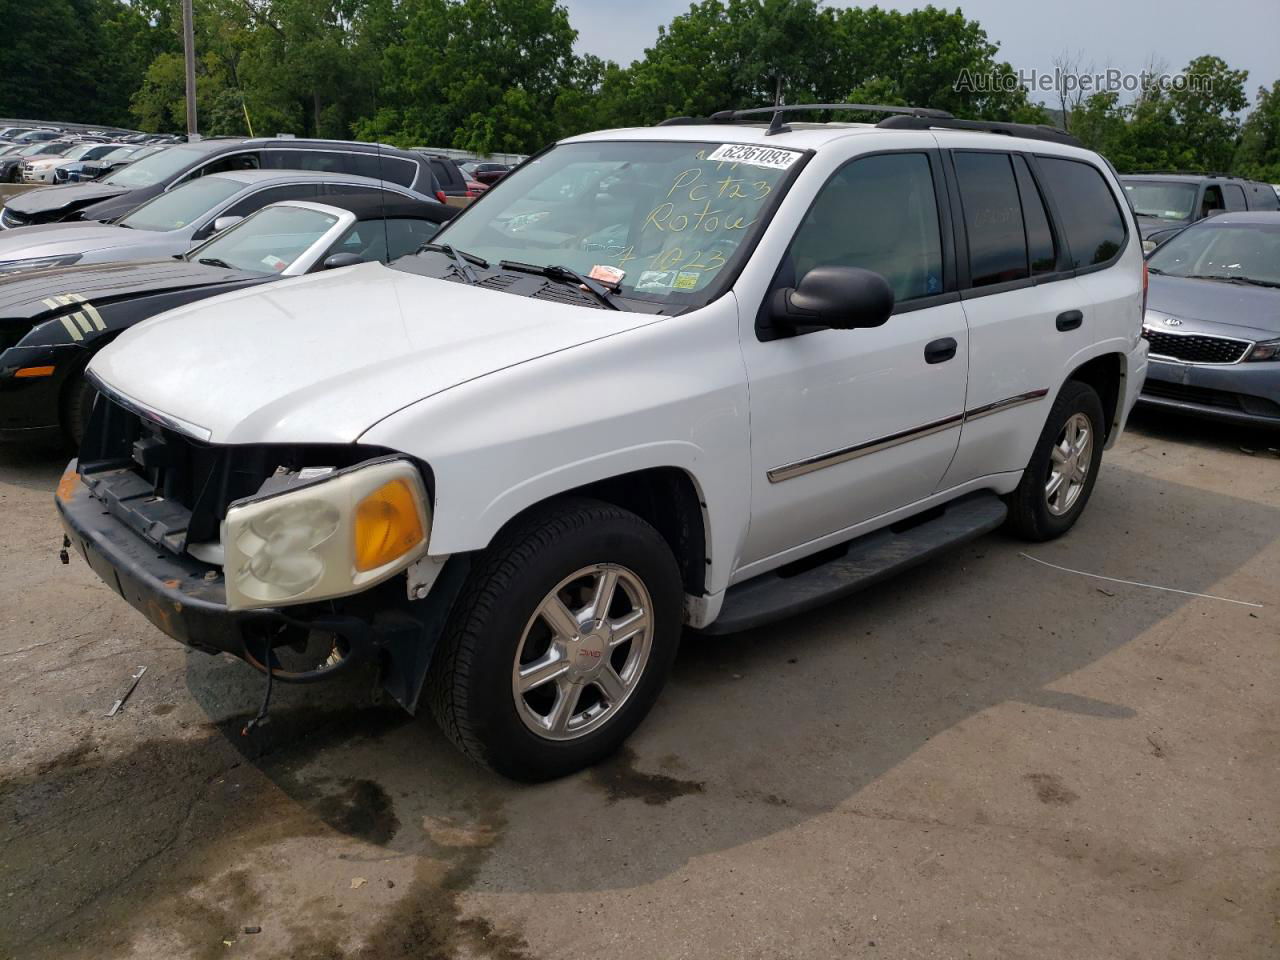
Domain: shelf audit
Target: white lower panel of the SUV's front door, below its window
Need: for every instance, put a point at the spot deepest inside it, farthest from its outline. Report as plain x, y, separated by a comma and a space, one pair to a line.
849, 424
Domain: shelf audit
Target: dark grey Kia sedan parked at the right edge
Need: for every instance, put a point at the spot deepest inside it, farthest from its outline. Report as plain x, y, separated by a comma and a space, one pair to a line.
1213, 321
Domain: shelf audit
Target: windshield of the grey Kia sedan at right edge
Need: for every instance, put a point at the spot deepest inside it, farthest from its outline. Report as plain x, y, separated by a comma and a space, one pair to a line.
1245, 252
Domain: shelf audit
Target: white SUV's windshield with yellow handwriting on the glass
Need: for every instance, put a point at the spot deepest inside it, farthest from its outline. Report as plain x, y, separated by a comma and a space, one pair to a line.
674, 217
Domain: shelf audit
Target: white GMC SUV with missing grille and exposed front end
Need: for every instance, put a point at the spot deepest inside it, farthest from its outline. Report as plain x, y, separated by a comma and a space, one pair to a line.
706, 374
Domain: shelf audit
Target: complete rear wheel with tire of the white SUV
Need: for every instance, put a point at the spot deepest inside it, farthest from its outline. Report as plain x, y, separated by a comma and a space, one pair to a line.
1060, 477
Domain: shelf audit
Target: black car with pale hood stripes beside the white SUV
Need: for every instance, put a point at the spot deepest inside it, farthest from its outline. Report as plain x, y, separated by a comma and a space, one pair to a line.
53, 322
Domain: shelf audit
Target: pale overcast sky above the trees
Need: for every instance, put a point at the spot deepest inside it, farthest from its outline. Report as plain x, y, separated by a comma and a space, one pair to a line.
1122, 34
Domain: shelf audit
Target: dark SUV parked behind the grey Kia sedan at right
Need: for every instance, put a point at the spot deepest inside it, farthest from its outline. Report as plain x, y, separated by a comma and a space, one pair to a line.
1167, 203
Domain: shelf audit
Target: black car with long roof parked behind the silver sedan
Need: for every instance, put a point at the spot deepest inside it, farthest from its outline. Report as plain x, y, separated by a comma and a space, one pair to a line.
122, 191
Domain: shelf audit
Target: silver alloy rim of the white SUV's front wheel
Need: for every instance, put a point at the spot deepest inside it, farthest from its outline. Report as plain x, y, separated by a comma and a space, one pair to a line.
583, 652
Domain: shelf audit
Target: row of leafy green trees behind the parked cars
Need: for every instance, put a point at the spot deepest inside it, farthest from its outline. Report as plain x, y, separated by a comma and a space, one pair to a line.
504, 76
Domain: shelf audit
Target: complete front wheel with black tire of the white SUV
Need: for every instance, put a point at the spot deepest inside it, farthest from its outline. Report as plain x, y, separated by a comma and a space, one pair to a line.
561, 641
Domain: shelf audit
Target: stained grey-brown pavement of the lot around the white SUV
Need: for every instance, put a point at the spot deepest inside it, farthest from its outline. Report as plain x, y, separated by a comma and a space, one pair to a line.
986, 758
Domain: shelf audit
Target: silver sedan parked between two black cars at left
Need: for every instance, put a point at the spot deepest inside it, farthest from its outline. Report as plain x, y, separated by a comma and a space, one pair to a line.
176, 221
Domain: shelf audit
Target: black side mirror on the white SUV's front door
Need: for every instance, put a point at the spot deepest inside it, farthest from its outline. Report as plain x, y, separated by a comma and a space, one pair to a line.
833, 298
